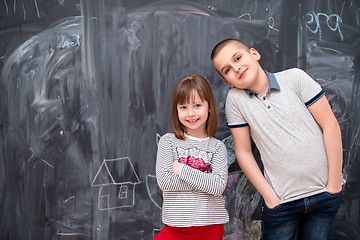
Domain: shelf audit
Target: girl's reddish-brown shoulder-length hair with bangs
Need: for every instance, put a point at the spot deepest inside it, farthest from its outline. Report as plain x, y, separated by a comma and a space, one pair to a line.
182, 93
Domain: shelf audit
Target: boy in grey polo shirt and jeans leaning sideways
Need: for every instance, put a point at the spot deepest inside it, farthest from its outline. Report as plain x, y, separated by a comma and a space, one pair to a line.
290, 120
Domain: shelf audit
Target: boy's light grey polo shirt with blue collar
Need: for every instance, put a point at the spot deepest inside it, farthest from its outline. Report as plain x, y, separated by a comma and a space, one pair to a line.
289, 140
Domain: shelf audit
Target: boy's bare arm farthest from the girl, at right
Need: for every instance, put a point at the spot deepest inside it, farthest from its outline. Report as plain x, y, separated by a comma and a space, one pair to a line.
324, 116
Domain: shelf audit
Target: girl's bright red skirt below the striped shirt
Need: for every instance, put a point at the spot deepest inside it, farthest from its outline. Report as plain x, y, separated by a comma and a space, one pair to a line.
209, 232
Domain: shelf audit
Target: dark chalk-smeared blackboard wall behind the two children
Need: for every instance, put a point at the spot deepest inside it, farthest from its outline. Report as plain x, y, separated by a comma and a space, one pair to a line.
85, 93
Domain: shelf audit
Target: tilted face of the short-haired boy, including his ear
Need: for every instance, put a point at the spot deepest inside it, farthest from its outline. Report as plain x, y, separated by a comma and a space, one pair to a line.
238, 65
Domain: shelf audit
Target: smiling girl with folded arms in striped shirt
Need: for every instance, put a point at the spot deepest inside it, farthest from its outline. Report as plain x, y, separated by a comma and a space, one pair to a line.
191, 166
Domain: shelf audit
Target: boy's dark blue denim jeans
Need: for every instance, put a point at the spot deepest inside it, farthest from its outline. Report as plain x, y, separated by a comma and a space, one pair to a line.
312, 217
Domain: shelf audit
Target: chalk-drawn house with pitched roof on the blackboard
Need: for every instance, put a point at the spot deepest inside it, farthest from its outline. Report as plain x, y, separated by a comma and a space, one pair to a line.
117, 180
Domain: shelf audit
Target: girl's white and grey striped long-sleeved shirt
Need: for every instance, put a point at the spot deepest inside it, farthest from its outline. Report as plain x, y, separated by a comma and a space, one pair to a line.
195, 197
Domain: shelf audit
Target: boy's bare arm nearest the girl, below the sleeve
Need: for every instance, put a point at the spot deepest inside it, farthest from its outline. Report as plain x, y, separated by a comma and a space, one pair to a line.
247, 163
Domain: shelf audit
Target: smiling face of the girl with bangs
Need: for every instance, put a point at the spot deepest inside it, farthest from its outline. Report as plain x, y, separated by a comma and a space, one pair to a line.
193, 115
